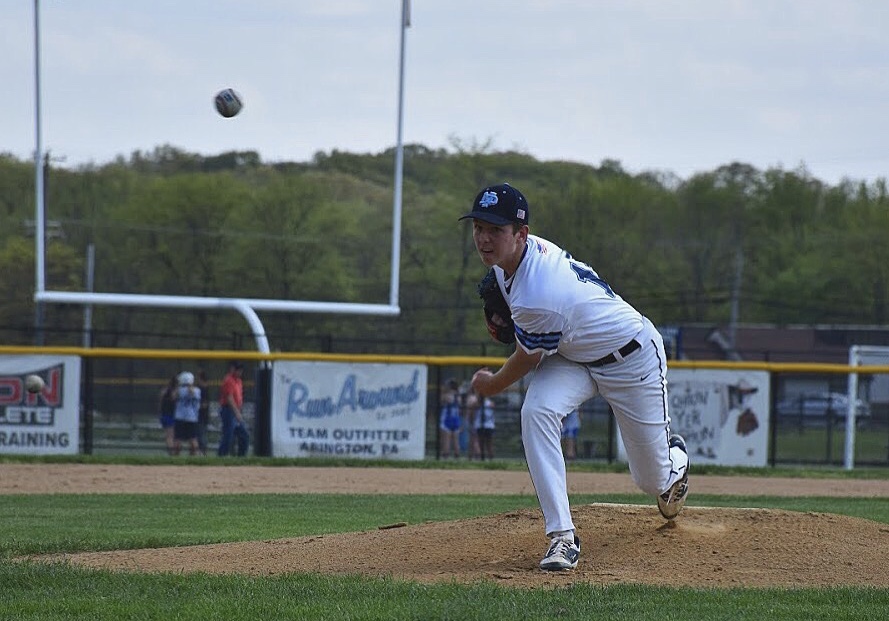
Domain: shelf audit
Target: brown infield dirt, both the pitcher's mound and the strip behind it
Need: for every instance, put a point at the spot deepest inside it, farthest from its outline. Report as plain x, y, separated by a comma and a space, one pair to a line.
704, 547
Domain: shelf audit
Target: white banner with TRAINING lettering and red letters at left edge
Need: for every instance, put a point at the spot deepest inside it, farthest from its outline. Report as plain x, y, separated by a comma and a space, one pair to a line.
42, 423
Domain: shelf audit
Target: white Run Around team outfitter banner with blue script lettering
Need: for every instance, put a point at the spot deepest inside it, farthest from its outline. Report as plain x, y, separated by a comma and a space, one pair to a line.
332, 409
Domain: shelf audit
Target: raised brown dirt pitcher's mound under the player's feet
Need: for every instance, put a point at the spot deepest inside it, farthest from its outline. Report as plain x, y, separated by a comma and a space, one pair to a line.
704, 547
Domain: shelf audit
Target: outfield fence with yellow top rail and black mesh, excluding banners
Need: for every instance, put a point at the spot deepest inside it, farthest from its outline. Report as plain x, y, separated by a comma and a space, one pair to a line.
120, 389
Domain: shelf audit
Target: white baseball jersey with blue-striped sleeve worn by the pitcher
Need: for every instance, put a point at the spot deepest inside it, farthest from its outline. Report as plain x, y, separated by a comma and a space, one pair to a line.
560, 304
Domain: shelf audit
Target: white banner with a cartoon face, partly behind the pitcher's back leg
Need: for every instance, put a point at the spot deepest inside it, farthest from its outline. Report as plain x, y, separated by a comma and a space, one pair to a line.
722, 414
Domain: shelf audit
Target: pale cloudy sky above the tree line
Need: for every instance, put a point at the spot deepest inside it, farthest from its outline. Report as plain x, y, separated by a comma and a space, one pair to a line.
678, 86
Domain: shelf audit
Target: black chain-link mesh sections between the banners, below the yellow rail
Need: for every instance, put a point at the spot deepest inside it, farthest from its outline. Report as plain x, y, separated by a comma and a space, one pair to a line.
125, 418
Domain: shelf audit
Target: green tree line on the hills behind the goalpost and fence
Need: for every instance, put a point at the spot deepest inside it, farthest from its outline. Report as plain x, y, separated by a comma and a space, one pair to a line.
735, 244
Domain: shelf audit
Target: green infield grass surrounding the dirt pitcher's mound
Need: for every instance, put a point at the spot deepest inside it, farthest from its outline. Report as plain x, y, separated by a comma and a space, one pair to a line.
67, 523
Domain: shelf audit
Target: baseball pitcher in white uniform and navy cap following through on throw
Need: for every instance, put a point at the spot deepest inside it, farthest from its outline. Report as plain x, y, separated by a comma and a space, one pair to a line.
580, 339
